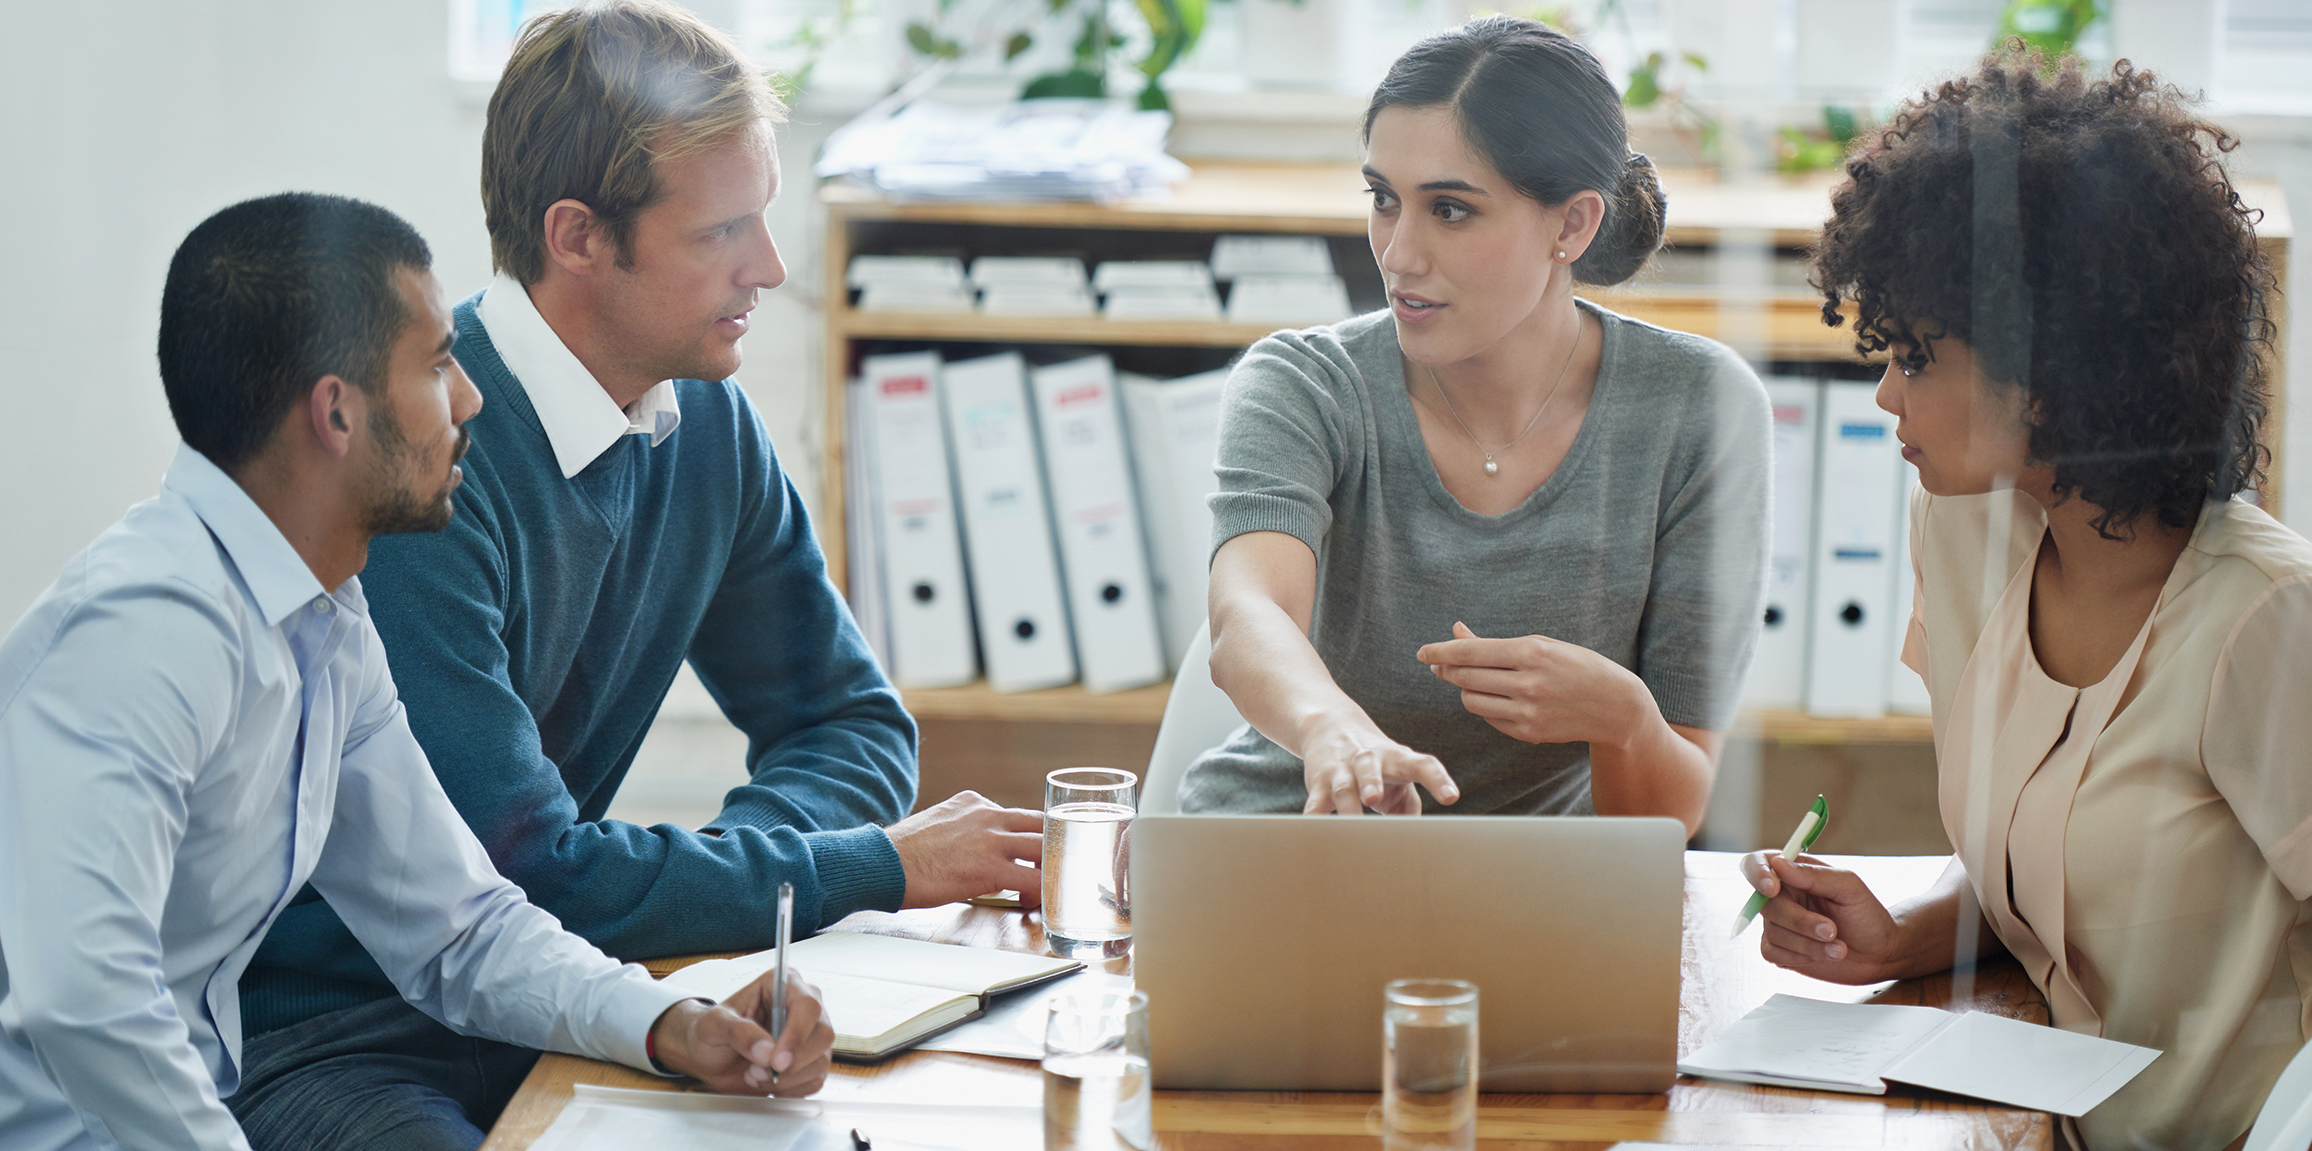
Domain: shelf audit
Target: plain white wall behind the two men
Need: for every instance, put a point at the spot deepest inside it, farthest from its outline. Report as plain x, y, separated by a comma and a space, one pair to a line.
128, 124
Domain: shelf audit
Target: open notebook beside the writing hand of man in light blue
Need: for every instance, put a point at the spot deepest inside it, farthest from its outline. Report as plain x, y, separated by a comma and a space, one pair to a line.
884, 993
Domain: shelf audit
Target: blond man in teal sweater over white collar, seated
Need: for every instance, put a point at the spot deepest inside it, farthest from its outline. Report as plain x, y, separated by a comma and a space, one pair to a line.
618, 517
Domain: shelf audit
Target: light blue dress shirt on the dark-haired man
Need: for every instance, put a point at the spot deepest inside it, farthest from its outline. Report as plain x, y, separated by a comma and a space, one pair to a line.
193, 729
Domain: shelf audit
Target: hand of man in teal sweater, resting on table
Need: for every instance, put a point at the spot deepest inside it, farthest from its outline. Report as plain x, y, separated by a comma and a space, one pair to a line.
968, 847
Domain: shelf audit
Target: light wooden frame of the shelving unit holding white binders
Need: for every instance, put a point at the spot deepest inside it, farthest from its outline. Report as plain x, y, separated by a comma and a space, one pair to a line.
1321, 200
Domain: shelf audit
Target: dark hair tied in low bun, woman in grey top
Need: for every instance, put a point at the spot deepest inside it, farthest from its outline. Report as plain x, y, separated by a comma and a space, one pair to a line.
1539, 107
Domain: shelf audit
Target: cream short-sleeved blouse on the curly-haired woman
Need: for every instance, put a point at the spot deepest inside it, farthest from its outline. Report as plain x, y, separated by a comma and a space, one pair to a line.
2142, 845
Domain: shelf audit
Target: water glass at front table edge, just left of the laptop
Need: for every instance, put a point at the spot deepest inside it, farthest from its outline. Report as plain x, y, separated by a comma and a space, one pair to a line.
1097, 1074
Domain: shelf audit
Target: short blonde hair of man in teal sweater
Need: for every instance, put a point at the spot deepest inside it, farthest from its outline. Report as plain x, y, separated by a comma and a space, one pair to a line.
593, 101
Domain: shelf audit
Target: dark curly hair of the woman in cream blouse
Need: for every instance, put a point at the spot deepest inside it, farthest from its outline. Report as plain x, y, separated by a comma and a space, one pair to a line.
2084, 242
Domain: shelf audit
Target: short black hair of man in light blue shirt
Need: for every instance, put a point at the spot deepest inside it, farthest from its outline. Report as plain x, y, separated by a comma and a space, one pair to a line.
269, 297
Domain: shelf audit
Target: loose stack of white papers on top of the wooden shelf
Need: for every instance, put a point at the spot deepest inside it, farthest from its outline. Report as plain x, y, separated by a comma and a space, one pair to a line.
1035, 149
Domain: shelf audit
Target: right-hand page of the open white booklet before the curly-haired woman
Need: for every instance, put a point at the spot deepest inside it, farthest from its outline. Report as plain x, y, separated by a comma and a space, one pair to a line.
2022, 1064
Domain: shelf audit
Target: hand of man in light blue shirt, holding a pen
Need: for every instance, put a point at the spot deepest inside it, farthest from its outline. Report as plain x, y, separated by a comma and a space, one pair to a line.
729, 1048
